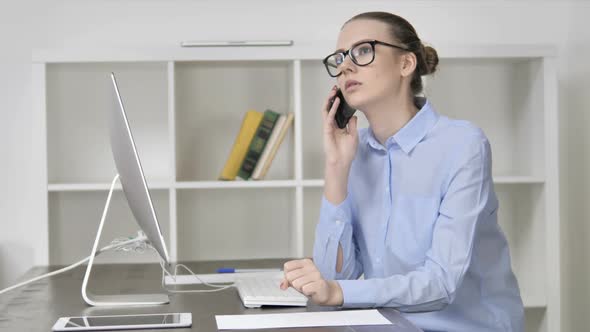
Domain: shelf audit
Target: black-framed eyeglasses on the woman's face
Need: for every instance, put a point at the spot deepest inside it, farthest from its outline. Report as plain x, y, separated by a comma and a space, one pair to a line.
361, 53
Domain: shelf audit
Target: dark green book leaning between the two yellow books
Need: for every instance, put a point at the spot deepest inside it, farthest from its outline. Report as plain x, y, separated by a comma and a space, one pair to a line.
263, 132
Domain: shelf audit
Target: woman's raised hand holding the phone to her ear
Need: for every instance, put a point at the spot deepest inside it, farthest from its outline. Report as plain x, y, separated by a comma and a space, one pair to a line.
339, 144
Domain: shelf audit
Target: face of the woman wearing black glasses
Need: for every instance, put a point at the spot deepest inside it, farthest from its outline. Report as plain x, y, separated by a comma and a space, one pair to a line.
381, 78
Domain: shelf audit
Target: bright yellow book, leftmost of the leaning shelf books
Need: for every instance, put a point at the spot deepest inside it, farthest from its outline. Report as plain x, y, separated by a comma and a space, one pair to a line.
238, 152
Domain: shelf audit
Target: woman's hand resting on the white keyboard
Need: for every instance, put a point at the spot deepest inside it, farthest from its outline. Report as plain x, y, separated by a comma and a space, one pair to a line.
304, 276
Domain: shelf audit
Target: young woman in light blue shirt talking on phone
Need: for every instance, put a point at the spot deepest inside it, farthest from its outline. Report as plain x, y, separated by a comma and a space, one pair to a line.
409, 202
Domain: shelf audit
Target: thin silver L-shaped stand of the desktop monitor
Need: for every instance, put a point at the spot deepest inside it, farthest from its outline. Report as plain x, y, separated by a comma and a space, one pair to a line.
115, 300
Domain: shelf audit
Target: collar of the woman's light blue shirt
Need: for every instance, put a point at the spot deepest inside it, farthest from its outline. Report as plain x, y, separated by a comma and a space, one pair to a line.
412, 132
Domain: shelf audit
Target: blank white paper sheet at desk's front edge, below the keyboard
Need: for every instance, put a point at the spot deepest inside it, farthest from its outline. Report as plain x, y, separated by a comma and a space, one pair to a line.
301, 319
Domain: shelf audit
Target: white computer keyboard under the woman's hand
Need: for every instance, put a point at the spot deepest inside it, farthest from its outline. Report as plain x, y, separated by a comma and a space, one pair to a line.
259, 291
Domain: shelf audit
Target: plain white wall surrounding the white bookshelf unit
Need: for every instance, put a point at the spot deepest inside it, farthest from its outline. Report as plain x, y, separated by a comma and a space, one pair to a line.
92, 23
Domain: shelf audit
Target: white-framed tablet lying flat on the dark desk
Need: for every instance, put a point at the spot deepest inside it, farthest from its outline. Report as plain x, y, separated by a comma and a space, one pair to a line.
123, 322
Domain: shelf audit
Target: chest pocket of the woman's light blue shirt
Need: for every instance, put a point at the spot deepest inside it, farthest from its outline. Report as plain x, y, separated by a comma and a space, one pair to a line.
409, 235
